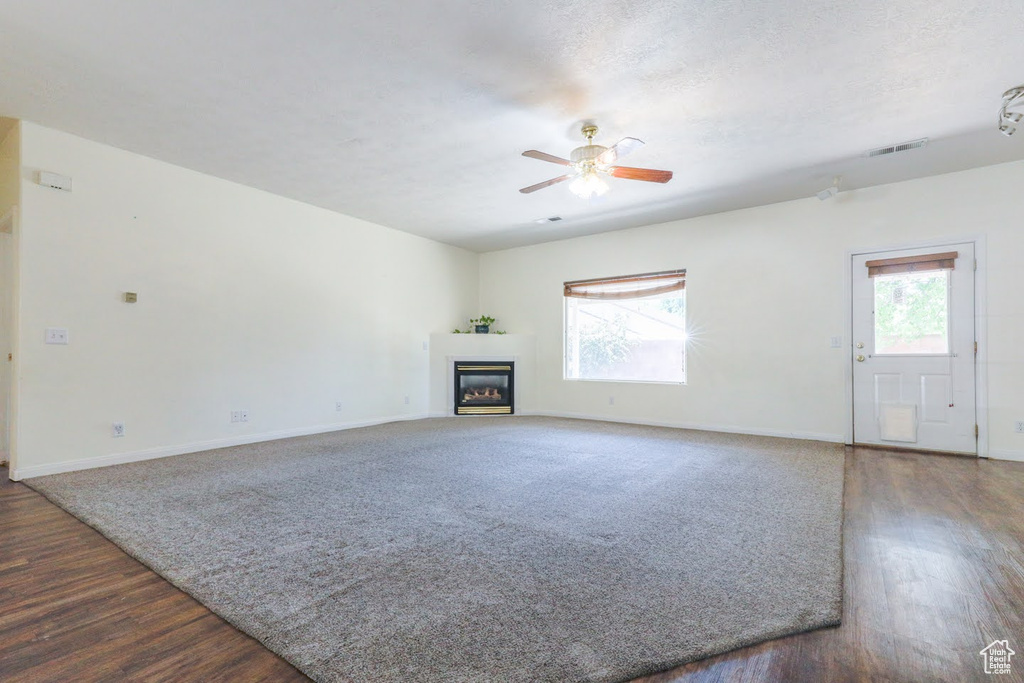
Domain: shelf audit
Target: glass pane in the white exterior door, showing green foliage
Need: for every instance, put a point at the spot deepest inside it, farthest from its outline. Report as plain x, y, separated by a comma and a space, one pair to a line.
912, 313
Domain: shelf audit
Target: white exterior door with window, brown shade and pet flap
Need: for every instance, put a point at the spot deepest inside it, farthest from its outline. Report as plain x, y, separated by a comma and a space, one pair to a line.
914, 350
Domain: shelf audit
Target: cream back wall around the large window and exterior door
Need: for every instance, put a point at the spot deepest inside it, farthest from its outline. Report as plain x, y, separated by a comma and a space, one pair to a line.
765, 292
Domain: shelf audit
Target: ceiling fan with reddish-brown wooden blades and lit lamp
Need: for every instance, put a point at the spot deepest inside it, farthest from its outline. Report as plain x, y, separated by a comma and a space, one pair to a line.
591, 161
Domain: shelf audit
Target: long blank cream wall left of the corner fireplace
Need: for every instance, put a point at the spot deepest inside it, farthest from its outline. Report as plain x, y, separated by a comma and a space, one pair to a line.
246, 301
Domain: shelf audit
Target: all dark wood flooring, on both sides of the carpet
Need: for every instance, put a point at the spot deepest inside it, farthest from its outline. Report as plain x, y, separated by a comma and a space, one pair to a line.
934, 548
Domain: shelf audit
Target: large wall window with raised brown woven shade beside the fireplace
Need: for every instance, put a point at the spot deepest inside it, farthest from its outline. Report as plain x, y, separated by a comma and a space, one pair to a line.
627, 329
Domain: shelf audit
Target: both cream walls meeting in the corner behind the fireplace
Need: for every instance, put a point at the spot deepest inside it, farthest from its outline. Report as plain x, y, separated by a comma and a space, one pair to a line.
252, 302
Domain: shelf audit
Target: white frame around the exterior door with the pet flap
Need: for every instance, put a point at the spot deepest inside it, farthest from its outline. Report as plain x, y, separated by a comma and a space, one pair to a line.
980, 326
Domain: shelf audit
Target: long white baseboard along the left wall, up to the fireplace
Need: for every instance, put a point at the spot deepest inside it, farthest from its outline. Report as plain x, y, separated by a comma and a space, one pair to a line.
163, 452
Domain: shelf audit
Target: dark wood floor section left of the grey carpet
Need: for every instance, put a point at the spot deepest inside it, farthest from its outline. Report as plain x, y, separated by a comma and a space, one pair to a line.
74, 608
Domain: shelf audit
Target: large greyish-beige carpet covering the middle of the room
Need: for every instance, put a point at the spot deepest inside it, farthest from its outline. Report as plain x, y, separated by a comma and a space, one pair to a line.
489, 549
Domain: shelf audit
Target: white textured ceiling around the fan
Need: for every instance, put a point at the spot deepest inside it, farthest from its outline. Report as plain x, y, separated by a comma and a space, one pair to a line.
414, 114
